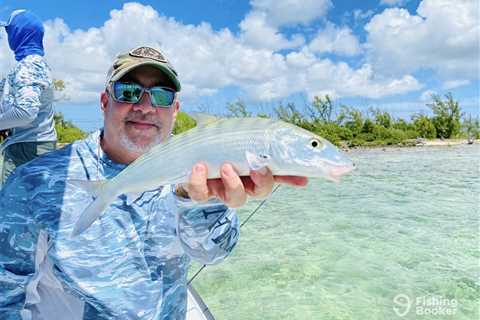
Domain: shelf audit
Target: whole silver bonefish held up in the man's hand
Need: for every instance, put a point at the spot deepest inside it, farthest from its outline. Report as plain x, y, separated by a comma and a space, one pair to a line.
246, 143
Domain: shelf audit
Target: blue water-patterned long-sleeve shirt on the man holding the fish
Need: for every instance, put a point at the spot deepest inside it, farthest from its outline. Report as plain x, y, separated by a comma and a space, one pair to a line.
130, 264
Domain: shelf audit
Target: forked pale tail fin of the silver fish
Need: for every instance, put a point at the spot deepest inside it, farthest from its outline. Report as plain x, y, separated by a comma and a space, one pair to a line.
103, 197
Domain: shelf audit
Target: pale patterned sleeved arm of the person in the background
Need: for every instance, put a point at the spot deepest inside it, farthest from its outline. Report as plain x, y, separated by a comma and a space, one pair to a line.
29, 87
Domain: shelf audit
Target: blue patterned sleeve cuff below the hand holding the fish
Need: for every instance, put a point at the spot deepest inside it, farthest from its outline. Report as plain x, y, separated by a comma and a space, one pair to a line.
208, 231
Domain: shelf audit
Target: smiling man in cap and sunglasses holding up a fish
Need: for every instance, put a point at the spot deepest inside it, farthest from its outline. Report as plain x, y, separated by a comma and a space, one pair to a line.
131, 263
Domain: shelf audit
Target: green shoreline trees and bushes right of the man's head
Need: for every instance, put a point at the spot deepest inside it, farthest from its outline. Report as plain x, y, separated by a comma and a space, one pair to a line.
349, 126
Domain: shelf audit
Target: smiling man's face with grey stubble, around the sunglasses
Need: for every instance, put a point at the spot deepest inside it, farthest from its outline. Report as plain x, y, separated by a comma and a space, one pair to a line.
132, 129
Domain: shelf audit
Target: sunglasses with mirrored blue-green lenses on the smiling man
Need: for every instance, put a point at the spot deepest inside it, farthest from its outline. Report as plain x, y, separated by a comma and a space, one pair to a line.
131, 92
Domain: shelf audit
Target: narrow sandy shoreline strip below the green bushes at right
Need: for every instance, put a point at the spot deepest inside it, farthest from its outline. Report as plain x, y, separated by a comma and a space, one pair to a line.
416, 144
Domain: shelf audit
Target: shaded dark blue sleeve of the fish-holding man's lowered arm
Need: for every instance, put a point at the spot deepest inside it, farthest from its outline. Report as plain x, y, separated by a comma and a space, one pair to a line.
18, 240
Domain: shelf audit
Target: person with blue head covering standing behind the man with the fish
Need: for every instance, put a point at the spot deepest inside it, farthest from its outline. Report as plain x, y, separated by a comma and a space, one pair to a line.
26, 109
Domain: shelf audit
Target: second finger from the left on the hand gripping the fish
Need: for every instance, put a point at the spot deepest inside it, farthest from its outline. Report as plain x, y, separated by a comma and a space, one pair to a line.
235, 195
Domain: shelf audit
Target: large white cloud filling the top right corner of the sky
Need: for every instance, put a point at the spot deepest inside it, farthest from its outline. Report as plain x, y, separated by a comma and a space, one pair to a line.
443, 37
